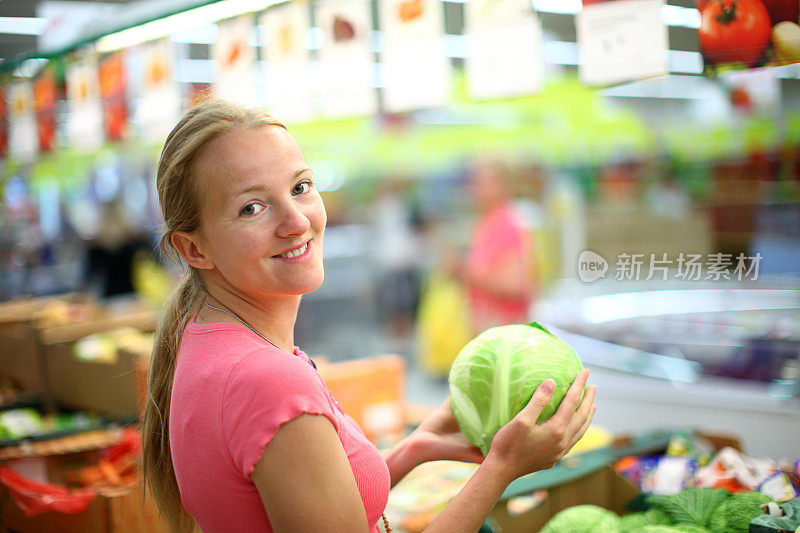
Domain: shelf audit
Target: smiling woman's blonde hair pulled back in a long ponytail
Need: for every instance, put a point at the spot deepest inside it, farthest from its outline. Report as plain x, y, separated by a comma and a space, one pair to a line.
178, 194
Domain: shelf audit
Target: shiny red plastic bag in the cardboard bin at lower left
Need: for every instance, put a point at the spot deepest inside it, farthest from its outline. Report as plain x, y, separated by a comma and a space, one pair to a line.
35, 498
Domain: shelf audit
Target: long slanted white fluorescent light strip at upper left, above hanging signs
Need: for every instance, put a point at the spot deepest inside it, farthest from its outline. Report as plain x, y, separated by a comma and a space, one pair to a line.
181, 22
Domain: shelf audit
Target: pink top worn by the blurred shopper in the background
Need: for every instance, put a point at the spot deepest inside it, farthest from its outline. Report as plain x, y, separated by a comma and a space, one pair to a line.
498, 236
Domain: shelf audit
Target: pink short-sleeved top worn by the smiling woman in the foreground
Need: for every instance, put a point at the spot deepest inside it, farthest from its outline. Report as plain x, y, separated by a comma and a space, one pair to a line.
231, 393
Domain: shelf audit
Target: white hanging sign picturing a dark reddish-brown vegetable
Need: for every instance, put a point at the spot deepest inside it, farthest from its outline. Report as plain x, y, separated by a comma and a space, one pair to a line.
346, 62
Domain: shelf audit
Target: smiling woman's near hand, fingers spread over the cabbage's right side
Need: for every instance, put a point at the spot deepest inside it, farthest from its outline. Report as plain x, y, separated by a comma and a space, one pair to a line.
522, 446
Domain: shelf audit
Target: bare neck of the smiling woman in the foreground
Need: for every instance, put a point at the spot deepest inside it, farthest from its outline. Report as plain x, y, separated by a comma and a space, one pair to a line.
274, 318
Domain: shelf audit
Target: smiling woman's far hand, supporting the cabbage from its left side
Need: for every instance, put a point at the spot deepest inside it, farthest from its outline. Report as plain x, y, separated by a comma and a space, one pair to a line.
440, 439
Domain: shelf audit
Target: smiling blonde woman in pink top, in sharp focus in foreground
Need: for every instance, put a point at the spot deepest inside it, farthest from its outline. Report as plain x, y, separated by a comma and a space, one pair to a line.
240, 433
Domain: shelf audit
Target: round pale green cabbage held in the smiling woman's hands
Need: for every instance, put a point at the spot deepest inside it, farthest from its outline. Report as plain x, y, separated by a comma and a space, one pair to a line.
496, 373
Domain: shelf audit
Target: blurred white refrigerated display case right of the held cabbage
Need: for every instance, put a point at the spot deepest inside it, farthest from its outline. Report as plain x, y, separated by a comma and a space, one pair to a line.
719, 357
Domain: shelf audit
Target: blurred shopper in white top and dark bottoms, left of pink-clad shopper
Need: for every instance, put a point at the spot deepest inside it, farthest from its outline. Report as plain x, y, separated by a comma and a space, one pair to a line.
395, 248
